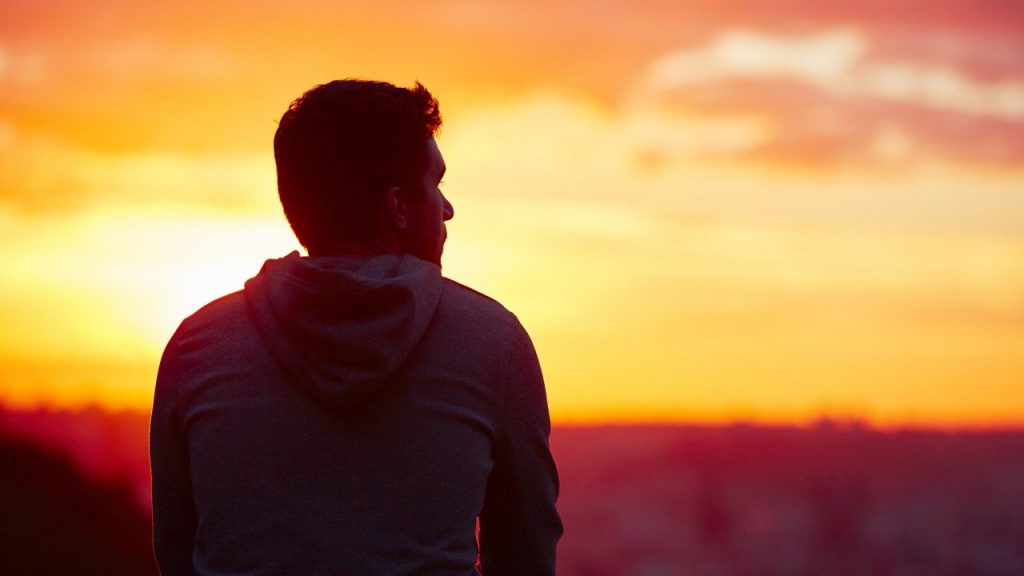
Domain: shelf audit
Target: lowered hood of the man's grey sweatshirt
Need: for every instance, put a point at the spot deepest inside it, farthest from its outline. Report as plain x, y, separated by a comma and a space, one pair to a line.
342, 327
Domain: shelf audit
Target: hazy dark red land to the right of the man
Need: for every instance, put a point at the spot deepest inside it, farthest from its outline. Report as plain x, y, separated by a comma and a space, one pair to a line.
826, 501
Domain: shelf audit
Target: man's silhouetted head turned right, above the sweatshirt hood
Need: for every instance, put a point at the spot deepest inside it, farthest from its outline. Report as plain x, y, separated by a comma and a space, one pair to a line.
358, 166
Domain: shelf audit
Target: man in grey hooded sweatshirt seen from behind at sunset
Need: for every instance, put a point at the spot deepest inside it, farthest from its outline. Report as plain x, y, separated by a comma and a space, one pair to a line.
353, 412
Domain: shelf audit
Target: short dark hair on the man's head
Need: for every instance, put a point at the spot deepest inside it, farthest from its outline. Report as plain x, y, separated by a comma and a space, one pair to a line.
340, 146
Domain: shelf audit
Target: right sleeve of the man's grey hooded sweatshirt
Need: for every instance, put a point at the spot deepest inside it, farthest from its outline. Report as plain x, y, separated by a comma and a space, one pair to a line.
520, 525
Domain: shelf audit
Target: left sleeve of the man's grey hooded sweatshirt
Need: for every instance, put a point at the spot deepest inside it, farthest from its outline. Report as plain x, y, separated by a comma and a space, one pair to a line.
175, 517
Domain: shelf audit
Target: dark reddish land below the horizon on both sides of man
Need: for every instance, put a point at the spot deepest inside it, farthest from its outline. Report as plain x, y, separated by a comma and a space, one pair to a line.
727, 501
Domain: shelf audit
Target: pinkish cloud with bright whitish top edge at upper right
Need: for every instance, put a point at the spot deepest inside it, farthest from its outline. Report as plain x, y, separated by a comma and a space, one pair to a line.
830, 98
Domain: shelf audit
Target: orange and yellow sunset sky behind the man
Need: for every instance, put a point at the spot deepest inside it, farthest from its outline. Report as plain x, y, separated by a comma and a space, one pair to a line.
773, 212
